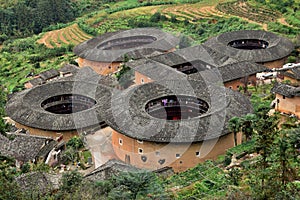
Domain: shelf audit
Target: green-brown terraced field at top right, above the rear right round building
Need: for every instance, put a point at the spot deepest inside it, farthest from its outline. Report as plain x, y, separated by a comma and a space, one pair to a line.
245, 10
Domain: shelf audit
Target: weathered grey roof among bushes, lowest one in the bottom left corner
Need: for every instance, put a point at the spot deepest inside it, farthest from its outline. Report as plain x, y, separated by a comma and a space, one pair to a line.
38, 181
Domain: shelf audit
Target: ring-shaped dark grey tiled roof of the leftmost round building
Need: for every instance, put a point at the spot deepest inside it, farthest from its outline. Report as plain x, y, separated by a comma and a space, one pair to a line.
25, 107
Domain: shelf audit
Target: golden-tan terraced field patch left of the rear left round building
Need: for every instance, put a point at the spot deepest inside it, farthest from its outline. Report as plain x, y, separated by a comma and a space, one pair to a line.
69, 35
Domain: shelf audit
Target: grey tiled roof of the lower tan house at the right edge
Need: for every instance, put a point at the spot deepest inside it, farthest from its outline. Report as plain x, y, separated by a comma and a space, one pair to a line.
286, 90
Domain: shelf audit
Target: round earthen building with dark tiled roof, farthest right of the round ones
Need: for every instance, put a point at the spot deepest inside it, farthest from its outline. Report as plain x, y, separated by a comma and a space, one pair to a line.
256, 46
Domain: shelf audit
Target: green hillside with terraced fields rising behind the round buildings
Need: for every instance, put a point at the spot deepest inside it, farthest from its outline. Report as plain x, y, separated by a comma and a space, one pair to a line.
199, 21
